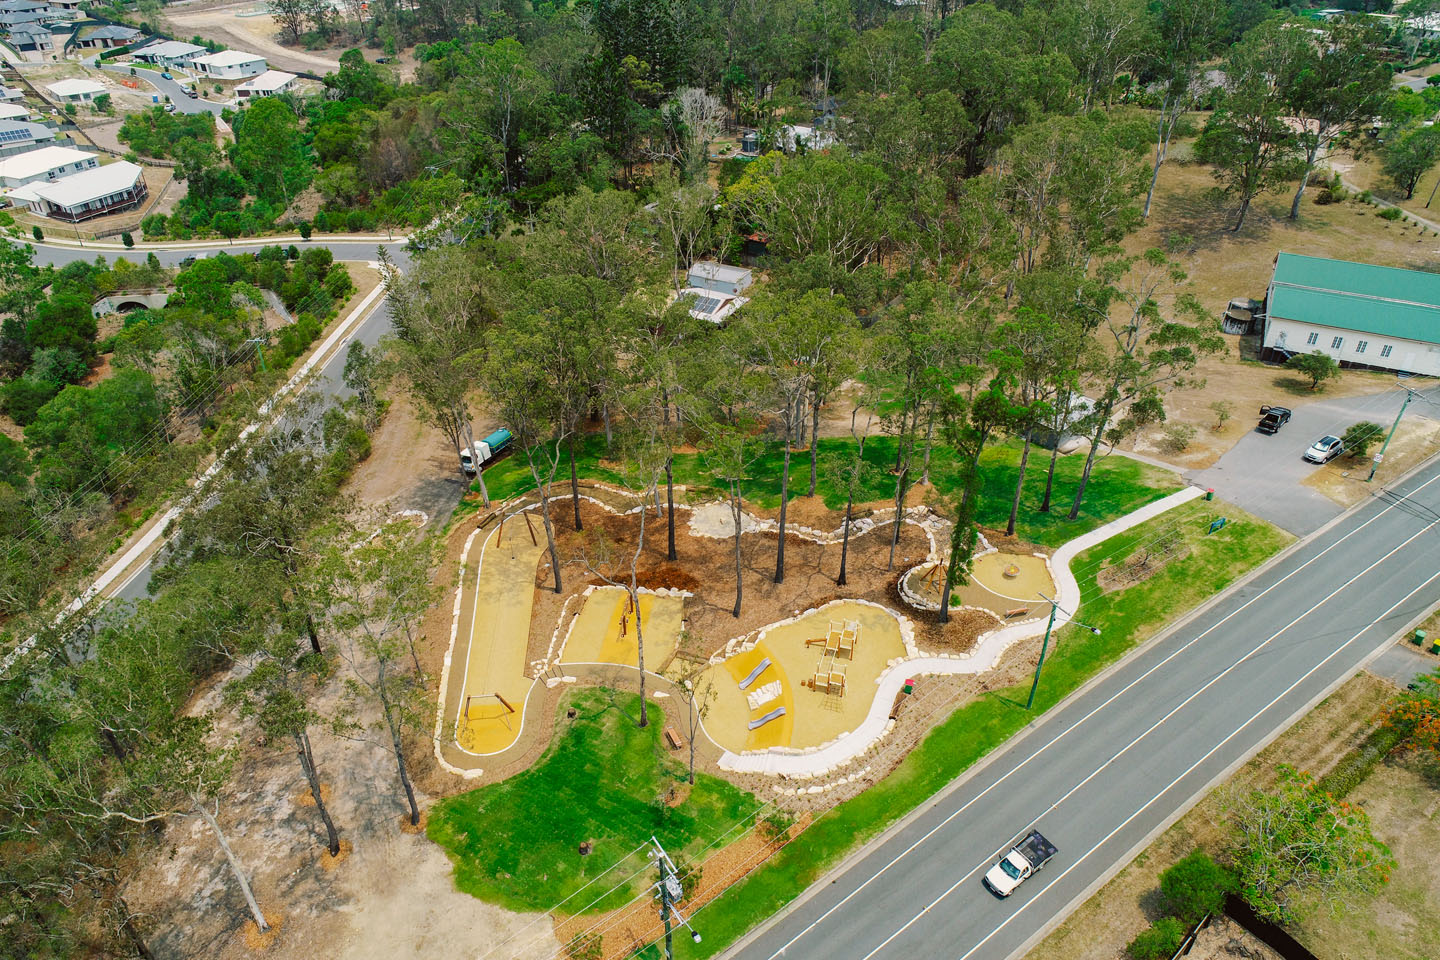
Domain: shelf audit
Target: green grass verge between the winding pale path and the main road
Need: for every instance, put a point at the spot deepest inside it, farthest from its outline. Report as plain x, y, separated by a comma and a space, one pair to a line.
1205, 565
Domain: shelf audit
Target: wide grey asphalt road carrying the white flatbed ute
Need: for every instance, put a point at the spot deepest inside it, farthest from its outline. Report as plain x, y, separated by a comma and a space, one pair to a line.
1124, 759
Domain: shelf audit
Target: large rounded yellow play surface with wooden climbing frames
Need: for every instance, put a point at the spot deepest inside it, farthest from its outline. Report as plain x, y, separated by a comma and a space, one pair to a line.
811, 717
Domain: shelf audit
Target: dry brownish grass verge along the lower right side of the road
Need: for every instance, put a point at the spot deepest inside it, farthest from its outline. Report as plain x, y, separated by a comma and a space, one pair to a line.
1102, 926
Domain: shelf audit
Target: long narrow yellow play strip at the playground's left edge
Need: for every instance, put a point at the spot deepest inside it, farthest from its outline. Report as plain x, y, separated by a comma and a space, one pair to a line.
499, 635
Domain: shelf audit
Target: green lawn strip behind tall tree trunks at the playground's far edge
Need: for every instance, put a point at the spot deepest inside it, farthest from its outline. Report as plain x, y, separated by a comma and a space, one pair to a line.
1118, 486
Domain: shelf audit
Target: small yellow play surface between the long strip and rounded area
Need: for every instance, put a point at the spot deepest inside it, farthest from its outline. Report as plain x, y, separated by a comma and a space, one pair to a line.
604, 633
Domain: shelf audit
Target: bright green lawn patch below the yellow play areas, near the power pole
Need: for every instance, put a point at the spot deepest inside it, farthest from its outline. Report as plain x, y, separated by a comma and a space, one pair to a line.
604, 779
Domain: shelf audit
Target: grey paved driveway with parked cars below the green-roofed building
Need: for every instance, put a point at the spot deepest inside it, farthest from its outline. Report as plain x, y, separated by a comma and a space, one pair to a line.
1262, 474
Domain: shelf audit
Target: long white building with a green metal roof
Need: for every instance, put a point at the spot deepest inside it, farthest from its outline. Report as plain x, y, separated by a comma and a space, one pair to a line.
1360, 314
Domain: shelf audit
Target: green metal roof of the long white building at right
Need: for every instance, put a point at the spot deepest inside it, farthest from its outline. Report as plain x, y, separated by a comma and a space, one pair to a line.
1386, 302
